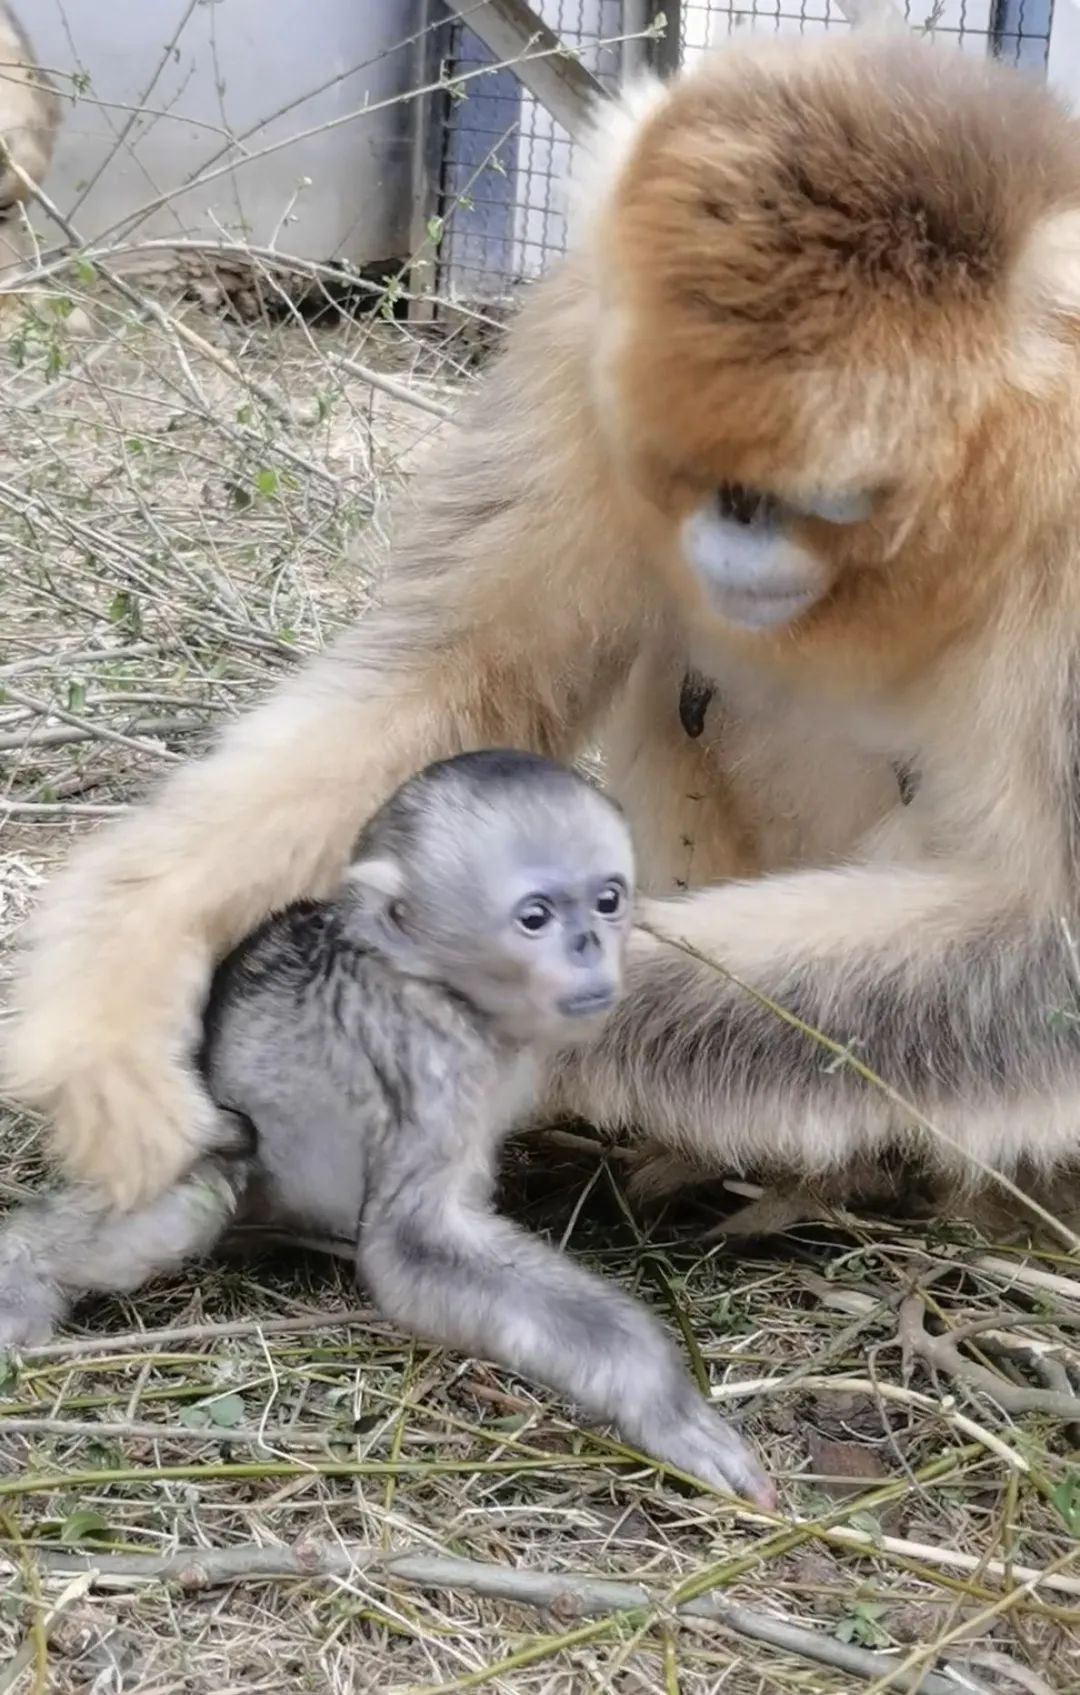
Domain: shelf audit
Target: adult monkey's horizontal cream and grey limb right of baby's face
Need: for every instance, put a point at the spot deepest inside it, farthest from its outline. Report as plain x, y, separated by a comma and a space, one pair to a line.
942, 979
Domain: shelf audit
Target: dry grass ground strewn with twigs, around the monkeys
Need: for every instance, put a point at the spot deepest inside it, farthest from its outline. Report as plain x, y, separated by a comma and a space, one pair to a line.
211, 1487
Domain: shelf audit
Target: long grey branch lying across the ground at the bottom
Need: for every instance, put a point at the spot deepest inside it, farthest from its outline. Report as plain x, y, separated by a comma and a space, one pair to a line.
569, 1596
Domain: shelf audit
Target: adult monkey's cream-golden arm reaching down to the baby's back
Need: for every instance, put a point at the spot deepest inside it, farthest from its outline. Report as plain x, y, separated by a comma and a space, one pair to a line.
509, 616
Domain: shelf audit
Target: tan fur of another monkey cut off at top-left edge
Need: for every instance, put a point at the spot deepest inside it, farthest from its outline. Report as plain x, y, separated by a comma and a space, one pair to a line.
30, 121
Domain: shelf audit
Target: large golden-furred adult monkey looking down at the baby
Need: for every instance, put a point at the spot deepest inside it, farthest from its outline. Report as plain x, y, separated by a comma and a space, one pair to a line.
799, 416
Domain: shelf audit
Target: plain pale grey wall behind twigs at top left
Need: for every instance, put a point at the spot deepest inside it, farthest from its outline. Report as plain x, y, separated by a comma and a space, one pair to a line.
237, 64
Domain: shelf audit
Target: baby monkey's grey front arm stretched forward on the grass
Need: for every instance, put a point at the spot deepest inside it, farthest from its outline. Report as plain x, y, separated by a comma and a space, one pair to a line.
442, 1264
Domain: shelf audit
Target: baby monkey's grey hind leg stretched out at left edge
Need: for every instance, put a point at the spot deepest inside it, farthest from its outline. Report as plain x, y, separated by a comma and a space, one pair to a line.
74, 1243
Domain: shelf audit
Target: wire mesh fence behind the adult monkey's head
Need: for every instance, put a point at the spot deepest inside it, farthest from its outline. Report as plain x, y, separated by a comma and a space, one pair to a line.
506, 158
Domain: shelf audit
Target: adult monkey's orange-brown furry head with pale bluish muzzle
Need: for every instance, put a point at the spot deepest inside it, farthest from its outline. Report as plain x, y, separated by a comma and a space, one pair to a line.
816, 348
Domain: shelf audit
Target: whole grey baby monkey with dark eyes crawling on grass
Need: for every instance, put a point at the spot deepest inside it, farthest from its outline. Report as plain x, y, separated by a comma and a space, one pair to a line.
370, 1055
